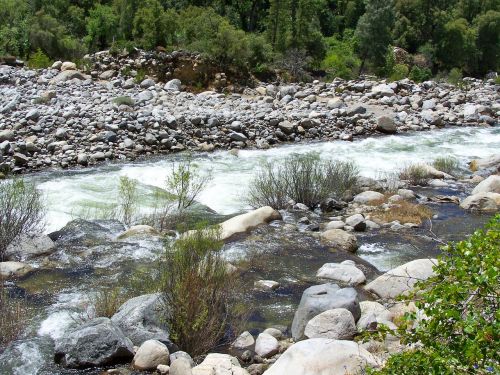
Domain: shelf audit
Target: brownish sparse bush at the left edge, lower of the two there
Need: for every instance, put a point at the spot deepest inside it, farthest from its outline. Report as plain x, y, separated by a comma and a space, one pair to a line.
14, 316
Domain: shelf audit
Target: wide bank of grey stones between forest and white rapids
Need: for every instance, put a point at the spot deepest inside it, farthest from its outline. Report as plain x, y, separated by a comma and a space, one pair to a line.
61, 117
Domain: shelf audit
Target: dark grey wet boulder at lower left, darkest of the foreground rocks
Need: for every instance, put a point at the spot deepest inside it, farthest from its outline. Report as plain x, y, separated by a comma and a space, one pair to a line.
97, 342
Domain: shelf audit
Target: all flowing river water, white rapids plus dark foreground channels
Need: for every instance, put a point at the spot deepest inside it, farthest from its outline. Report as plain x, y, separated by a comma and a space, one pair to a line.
291, 258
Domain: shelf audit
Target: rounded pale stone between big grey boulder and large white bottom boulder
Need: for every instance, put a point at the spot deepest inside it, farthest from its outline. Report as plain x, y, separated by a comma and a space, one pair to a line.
336, 324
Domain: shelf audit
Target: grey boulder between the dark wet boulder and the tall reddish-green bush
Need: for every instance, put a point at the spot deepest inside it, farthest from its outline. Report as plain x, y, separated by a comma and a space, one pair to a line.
140, 319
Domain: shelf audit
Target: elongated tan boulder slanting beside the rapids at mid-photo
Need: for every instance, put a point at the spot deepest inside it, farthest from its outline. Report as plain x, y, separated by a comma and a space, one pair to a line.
245, 222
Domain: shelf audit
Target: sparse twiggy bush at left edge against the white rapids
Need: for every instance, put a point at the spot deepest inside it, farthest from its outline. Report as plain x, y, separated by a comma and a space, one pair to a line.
21, 211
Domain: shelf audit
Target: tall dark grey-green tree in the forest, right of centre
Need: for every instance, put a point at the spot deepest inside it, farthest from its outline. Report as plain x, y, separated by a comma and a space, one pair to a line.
373, 31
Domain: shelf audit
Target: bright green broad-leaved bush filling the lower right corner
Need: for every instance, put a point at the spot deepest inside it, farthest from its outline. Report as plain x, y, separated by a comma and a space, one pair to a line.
460, 334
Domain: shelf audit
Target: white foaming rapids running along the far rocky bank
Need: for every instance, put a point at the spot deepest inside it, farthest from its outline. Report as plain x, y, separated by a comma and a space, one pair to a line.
232, 174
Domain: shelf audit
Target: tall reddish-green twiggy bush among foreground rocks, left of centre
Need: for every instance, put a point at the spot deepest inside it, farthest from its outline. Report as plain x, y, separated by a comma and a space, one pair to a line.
197, 290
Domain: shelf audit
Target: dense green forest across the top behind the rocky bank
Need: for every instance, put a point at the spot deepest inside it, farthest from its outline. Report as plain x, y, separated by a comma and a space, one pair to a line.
337, 37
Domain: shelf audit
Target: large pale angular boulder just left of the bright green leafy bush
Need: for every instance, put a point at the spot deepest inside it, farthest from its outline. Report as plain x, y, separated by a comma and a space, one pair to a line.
401, 279
